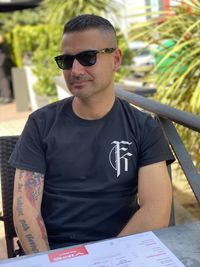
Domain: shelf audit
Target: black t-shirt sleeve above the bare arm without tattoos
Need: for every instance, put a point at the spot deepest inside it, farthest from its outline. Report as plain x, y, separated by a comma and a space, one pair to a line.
153, 146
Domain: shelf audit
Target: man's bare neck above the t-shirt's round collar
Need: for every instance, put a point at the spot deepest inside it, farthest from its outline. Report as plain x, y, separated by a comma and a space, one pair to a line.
92, 109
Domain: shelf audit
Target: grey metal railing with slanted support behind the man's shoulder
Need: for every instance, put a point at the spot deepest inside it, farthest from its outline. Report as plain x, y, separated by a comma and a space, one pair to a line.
166, 116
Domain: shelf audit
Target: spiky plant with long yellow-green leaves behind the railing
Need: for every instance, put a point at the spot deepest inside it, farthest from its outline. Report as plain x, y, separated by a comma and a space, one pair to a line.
177, 72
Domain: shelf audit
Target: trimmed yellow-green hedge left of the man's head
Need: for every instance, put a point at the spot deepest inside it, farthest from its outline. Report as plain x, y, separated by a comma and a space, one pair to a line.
37, 45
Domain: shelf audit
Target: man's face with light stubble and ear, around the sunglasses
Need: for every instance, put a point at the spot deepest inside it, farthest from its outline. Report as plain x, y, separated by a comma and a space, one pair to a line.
87, 81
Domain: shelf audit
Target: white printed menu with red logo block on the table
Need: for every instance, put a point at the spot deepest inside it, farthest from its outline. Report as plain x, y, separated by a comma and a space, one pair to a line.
139, 250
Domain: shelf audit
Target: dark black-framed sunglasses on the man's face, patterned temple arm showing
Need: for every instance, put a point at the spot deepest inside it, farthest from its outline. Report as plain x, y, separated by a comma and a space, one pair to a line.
85, 58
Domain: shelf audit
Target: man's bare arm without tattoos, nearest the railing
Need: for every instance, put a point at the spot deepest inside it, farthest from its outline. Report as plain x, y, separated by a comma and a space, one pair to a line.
155, 198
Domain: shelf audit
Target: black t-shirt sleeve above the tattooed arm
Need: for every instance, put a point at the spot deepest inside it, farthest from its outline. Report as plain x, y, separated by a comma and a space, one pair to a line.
29, 152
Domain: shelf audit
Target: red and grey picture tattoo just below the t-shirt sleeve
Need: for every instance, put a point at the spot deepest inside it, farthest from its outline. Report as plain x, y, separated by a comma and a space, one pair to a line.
33, 186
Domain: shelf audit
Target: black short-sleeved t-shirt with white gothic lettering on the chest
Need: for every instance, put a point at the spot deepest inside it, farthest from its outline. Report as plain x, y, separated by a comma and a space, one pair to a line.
90, 166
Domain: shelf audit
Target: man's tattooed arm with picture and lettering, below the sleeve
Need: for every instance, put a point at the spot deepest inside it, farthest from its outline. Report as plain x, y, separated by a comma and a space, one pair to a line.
28, 222
